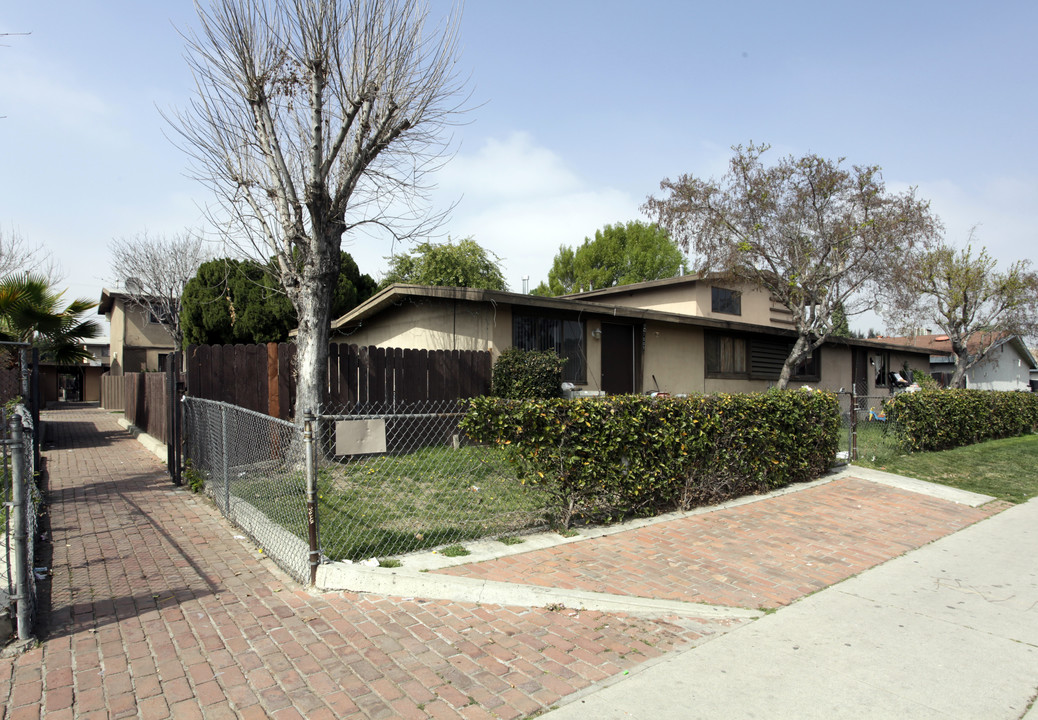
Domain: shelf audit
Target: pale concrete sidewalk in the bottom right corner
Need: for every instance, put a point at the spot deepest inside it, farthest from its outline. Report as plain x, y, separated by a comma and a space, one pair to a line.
947, 631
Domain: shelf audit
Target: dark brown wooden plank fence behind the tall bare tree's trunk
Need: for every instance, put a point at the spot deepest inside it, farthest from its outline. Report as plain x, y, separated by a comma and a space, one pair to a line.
262, 377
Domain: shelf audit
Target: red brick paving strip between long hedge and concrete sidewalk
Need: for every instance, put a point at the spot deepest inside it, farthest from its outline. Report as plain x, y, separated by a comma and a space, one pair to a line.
762, 555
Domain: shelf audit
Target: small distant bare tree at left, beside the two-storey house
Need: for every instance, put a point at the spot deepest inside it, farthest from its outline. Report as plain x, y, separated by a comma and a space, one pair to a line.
152, 272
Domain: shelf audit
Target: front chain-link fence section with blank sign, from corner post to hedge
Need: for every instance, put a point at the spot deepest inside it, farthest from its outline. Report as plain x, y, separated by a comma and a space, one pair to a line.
394, 481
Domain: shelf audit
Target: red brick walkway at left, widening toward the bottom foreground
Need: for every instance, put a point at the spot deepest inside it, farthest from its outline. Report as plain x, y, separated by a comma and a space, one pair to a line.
157, 612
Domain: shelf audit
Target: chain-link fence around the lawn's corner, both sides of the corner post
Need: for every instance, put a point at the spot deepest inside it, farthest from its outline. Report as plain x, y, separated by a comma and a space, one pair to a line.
384, 481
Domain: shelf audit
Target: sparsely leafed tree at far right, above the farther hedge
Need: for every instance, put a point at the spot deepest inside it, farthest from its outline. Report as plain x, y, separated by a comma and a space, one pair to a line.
968, 298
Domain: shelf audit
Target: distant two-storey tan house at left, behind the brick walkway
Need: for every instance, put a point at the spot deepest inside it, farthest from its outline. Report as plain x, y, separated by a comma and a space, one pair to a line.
140, 343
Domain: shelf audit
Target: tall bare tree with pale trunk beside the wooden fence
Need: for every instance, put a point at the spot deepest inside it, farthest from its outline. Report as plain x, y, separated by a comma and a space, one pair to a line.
313, 119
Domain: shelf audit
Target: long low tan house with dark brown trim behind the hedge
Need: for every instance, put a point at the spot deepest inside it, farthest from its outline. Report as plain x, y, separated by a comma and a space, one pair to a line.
682, 336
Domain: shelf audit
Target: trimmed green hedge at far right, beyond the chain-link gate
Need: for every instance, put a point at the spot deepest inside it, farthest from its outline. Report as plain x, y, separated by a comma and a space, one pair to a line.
942, 420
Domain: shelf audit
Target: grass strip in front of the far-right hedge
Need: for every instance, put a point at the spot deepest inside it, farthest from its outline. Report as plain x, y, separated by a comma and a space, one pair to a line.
1006, 469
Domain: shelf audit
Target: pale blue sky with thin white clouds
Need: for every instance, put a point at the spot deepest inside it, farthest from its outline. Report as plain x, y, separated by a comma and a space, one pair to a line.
579, 110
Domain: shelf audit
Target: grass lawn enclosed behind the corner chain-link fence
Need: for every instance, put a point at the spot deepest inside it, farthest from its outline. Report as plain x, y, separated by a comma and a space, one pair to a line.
389, 506
